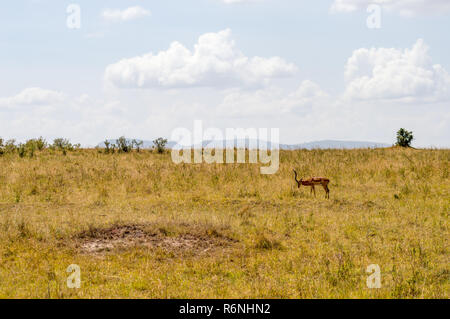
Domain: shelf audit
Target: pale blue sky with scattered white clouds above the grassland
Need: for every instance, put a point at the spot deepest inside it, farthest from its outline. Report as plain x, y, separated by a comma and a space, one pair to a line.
315, 70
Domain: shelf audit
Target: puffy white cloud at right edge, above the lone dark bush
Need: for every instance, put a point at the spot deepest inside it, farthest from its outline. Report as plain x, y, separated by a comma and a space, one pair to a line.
408, 75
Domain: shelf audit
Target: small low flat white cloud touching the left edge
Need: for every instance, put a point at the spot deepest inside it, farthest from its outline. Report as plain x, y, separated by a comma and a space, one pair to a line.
32, 96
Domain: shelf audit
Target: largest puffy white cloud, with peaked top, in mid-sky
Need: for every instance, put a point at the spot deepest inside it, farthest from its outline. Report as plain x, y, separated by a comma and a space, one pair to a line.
214, 62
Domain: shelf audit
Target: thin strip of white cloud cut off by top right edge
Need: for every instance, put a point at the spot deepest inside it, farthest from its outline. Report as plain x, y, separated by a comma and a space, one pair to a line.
402, 7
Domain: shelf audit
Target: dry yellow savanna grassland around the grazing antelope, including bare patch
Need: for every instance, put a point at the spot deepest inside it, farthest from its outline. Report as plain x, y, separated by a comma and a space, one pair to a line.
140, 226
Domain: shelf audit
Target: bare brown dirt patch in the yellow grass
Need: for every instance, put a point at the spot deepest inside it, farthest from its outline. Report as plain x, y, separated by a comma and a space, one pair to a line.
122, 237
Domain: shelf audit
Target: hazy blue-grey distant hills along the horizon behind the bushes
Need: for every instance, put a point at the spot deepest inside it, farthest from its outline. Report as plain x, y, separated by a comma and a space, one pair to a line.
325, 144
